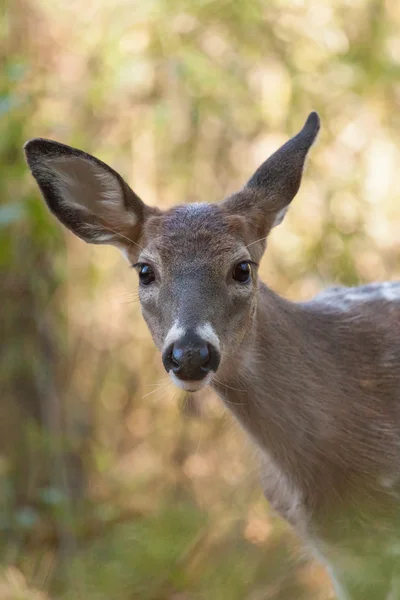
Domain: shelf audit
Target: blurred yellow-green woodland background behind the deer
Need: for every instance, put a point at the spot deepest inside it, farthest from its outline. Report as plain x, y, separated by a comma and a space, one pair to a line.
113, 485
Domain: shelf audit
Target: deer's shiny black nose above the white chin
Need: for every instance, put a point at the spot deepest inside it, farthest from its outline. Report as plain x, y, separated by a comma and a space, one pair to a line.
191, 358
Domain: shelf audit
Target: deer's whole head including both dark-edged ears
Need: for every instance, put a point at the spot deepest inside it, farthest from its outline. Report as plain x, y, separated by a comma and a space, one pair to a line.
197, 263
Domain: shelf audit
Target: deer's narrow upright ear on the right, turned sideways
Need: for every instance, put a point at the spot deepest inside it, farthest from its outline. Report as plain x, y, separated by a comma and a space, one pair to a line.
265, 198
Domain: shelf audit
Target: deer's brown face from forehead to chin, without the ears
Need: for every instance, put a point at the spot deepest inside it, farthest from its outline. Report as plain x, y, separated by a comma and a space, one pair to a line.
198, 282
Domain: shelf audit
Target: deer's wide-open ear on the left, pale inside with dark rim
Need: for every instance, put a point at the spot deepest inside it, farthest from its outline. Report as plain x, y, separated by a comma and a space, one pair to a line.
85, 194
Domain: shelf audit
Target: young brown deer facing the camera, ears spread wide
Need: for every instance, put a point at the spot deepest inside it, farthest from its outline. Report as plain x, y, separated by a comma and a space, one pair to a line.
315, 384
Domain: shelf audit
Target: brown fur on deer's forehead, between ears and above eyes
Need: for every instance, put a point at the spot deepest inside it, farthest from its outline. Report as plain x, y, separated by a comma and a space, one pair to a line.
200, 230
